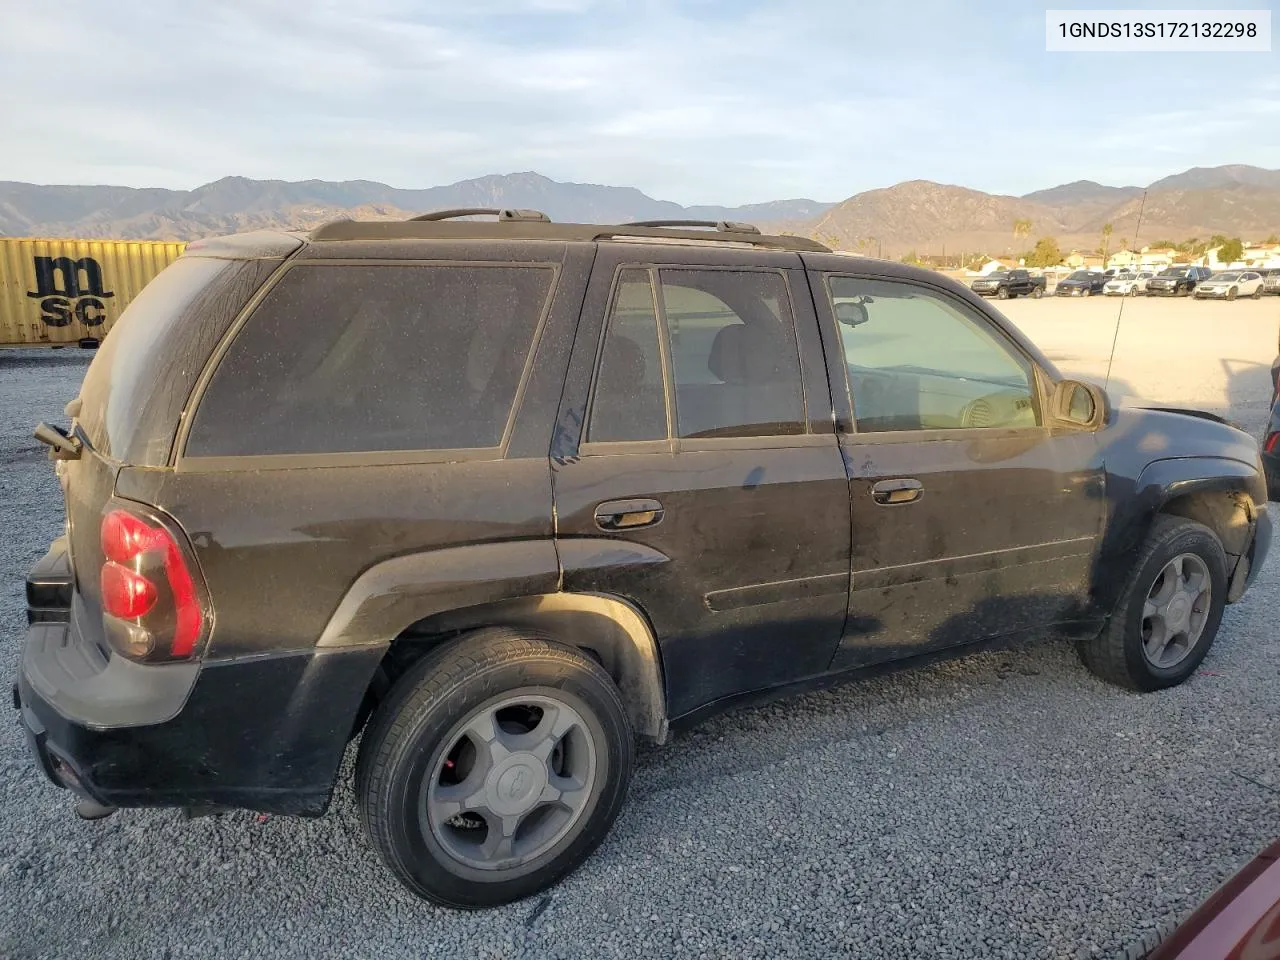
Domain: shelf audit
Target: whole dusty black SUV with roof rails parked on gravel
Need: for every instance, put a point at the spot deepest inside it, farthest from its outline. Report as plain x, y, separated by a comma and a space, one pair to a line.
502, 497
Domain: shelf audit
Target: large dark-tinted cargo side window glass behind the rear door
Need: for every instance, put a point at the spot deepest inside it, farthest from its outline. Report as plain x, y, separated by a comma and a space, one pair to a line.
342, 359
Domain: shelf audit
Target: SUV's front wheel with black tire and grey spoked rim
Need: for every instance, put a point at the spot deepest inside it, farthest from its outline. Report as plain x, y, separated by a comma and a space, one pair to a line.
1169, 611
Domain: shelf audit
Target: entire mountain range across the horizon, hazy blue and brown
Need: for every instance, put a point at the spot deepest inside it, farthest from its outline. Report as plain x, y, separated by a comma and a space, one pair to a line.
921, 216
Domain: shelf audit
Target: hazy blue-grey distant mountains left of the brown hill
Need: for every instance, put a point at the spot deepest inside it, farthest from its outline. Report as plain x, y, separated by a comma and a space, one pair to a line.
240, 204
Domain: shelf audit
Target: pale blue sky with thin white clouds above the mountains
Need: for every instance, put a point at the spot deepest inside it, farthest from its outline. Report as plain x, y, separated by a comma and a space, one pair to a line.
702, 102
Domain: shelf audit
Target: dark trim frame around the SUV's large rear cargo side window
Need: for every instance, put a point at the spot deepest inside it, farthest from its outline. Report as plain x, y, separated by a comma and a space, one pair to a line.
284, 461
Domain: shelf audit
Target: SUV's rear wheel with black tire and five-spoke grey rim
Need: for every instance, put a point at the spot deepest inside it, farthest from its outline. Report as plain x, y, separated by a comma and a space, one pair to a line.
493, 769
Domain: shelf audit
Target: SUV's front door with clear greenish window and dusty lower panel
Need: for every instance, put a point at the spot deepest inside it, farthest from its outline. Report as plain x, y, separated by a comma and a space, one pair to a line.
973, 516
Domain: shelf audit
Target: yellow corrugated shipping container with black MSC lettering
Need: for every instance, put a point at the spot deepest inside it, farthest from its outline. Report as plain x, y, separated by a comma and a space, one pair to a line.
63, 291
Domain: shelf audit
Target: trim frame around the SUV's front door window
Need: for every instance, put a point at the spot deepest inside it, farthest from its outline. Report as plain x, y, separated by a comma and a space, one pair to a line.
849, 431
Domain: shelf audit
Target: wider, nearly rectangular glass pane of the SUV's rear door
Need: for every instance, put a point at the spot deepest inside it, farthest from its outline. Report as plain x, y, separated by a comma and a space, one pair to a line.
733, 354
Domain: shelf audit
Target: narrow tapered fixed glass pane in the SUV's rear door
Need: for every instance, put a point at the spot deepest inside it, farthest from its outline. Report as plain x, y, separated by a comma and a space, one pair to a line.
630, 400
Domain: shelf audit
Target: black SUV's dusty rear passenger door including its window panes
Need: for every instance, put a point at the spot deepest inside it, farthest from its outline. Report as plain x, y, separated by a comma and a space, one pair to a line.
697, 472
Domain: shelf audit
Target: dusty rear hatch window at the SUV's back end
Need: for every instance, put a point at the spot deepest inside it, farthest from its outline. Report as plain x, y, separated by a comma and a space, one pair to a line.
138, 386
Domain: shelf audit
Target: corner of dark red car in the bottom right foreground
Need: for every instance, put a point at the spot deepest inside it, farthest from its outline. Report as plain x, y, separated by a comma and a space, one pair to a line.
1240, 922
